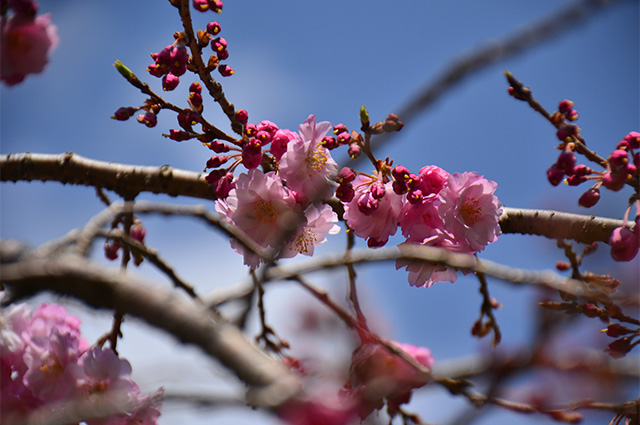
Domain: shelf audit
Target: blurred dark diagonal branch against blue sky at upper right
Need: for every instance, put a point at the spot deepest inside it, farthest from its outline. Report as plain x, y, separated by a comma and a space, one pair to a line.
556, 23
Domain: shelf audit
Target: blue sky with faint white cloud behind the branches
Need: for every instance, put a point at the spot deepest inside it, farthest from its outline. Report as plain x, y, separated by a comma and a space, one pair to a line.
293, 59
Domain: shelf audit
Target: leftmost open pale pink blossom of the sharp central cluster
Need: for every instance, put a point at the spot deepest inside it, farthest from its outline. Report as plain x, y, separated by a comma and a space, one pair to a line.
263, 208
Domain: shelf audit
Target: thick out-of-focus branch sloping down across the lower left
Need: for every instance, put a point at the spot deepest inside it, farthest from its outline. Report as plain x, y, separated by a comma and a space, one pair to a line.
25, 274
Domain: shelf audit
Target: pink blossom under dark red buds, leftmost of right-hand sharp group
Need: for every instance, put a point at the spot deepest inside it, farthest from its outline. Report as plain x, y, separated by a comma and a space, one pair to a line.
379, 224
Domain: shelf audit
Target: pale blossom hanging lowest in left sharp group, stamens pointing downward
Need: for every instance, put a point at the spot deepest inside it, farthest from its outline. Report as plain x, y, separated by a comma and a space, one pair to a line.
321, 220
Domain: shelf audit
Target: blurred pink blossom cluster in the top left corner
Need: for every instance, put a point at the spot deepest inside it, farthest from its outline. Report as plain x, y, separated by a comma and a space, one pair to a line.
27, 41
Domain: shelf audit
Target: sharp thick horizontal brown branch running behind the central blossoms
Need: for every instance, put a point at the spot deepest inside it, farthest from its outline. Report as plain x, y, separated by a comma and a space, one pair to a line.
70, 168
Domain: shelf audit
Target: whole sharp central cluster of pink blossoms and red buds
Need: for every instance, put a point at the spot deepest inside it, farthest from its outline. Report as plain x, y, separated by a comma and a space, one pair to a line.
458, 212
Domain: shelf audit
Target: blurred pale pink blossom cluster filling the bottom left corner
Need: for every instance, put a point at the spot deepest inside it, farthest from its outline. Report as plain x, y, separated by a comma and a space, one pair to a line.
45, 364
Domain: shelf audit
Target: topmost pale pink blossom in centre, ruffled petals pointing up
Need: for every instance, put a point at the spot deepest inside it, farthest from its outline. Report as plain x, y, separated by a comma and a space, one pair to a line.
307, 166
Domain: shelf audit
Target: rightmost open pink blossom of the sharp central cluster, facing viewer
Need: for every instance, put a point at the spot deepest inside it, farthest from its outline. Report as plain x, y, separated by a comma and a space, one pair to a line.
470, 210
